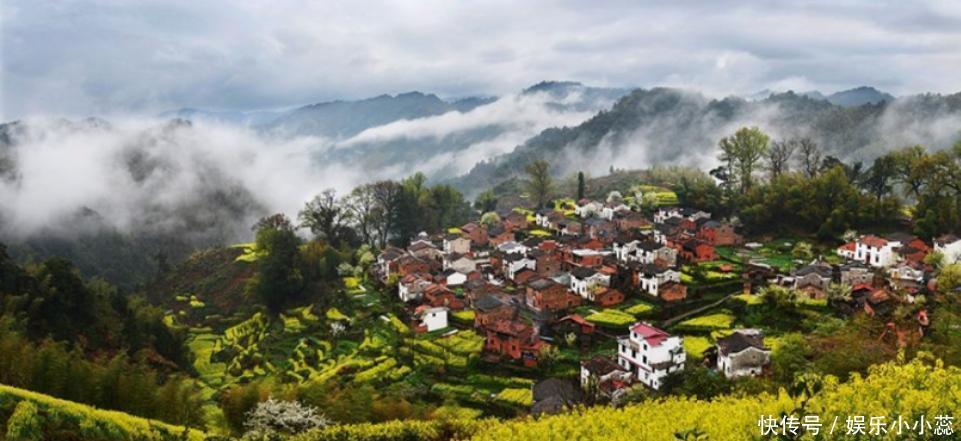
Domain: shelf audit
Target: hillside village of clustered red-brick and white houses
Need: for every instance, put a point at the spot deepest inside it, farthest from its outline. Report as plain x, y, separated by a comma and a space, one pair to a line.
589, 273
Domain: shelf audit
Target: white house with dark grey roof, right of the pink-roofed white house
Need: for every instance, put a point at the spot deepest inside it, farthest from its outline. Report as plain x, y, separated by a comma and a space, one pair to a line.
742, 353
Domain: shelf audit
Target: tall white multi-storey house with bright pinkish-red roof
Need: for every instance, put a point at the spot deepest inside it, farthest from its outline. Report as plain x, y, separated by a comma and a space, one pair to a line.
650, 354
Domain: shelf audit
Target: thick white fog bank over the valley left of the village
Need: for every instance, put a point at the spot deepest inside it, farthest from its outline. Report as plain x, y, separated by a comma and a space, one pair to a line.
157, 177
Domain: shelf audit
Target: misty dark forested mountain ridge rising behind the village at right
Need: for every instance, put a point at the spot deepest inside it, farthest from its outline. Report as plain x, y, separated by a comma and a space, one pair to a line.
672, 126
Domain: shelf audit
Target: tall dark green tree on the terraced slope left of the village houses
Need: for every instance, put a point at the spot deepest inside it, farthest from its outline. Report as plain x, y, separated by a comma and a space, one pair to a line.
278, 277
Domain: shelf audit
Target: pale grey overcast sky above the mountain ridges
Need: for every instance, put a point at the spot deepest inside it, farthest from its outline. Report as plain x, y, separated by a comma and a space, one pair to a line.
109, 57
